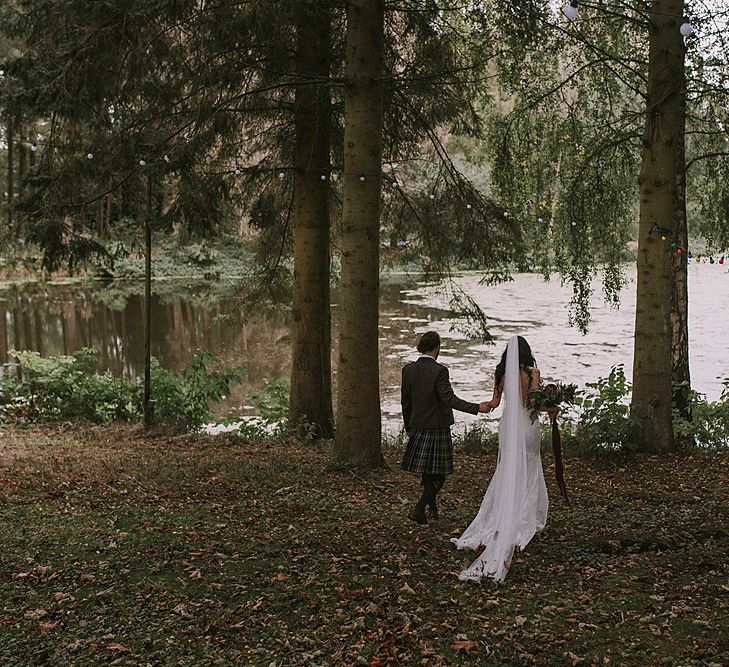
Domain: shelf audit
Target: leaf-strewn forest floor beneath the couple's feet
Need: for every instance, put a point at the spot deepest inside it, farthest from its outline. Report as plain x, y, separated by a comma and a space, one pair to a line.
130, 548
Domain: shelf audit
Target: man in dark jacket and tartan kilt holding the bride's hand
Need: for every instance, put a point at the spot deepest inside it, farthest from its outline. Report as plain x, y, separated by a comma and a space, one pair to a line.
428, 402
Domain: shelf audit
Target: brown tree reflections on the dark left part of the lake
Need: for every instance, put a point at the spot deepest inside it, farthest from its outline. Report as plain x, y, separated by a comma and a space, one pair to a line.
60, 320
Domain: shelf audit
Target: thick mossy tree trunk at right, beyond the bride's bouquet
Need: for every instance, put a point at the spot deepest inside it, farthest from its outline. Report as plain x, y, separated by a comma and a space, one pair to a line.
659, 176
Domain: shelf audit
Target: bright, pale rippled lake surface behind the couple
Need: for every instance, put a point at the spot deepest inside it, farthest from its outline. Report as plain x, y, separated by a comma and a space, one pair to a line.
539, 311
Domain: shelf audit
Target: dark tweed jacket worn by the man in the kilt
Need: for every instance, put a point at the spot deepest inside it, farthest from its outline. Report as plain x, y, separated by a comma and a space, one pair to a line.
427, 397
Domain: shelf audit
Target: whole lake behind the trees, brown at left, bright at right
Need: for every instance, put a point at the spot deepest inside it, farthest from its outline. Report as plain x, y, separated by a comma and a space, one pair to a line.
57, 319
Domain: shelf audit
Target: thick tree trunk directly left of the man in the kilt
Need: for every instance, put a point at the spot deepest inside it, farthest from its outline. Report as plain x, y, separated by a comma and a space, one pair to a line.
358, 438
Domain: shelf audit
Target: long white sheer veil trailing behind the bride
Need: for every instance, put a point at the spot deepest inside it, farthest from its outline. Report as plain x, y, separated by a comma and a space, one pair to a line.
503, 520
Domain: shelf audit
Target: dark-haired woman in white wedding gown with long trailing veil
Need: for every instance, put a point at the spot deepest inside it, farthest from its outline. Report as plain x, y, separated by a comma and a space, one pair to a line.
515, 505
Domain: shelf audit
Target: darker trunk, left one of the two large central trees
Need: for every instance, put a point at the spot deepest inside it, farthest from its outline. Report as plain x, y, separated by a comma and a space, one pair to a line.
310, 403
